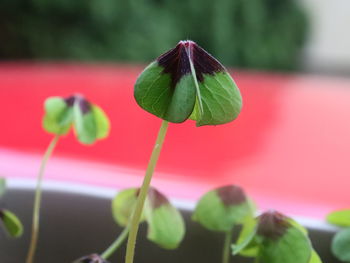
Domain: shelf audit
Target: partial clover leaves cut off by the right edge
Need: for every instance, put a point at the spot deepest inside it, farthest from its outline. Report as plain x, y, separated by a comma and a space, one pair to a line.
341, 241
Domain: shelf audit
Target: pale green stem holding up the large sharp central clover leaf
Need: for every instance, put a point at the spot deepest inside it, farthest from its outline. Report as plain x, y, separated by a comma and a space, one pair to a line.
135, 220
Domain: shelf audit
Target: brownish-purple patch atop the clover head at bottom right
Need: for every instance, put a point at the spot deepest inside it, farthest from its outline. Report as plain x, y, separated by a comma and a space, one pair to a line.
272, 224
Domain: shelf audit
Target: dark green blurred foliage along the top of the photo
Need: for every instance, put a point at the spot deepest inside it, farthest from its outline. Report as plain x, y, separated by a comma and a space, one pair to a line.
261, 34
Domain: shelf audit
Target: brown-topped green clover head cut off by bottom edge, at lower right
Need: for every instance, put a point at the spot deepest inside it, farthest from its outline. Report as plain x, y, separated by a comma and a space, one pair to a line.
275, 238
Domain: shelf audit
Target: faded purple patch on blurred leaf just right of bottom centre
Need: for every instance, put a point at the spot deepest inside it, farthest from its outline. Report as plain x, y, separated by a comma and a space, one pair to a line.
231, 195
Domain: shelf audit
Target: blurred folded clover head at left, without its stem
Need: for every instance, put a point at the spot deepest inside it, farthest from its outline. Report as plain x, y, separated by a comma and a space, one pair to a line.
88, 120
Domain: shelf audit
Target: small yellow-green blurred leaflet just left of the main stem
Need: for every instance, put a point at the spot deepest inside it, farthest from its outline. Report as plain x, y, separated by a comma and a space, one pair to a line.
123, 205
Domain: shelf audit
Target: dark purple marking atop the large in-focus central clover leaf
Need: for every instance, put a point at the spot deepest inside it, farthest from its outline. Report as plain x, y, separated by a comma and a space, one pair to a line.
176, 62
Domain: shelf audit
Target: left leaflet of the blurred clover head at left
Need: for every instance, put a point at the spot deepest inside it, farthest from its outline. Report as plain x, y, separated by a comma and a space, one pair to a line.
58, 116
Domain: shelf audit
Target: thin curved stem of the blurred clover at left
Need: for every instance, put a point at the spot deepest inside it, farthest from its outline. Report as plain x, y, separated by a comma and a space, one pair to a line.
37, 201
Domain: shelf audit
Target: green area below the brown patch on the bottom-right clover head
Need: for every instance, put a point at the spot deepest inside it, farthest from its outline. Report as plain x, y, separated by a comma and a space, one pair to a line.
293, 246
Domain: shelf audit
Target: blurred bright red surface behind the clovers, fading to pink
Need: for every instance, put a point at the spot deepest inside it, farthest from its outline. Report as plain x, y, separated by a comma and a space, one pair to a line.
290, 144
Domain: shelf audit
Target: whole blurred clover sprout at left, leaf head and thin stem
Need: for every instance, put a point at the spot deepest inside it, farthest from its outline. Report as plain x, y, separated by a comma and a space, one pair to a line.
89, 123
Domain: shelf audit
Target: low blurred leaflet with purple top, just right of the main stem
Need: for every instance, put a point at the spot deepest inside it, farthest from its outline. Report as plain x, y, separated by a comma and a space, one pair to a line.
166, 226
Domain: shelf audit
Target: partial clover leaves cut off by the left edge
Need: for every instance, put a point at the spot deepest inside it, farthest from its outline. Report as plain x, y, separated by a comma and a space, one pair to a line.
10, 221
